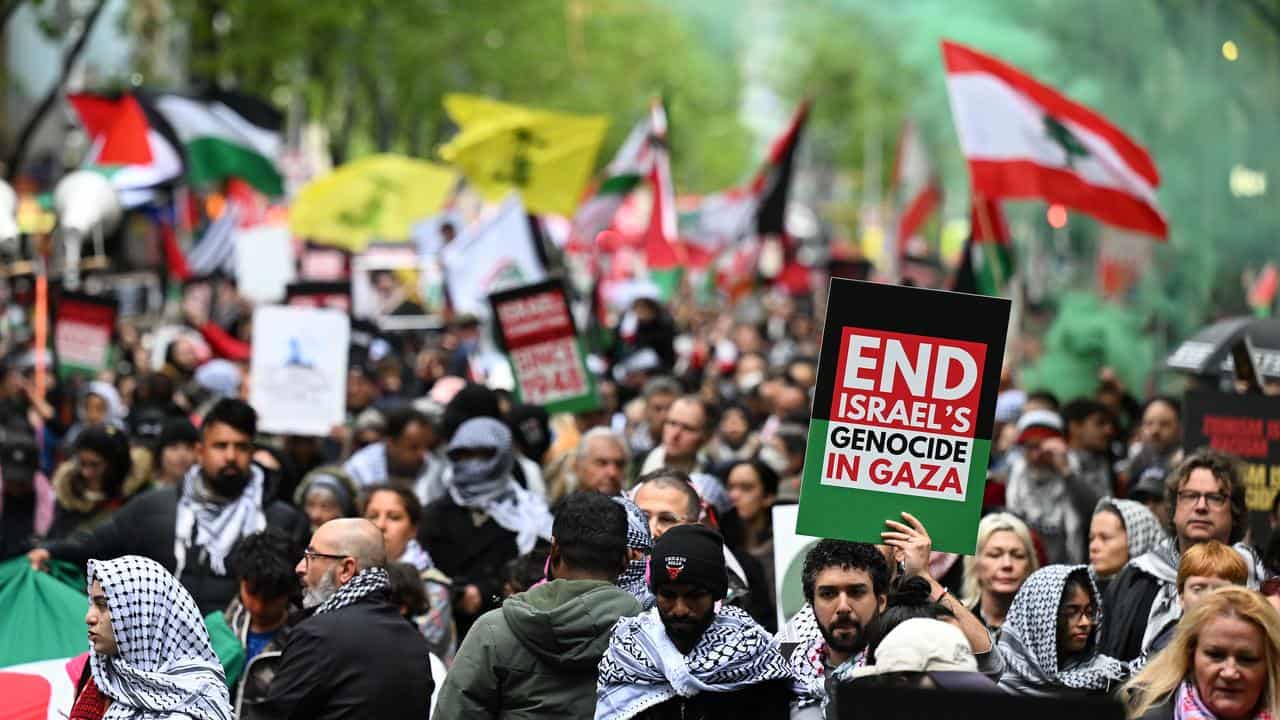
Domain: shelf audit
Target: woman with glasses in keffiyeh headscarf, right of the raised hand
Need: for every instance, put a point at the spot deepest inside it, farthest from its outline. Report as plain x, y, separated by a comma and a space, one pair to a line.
1049, 639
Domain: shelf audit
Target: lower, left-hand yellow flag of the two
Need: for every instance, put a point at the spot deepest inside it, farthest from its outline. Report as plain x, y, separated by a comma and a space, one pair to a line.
377, 198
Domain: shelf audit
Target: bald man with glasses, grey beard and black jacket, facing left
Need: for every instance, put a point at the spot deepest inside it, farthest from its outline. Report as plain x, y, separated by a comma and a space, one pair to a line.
355, 657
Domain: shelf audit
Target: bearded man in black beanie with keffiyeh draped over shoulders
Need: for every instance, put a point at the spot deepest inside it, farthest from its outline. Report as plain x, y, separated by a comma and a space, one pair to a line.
687, 659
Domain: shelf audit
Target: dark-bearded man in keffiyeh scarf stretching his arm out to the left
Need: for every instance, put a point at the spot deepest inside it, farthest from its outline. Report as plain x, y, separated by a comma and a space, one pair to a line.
193, 528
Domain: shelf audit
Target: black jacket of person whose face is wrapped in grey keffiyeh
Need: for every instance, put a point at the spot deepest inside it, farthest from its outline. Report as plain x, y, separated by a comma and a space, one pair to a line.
468, 554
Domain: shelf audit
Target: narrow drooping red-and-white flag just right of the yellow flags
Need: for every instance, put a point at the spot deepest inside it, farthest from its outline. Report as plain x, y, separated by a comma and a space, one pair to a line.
664, 253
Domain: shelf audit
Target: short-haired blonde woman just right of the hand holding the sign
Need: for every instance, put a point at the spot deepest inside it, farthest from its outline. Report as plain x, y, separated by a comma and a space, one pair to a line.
1004, 559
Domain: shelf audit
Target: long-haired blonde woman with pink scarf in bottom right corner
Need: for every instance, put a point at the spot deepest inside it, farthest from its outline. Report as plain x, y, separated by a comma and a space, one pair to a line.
1223, 664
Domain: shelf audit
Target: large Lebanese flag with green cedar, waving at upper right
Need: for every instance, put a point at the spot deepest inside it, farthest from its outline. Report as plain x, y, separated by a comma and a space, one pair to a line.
1025, 140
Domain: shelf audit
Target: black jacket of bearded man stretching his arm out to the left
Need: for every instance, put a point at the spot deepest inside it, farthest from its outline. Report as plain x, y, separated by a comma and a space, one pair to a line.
147, 526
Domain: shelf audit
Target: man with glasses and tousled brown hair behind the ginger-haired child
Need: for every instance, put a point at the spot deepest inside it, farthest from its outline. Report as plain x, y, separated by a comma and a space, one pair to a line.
1206, 494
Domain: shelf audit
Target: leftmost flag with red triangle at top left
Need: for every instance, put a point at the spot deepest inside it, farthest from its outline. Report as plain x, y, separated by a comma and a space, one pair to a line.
131, 144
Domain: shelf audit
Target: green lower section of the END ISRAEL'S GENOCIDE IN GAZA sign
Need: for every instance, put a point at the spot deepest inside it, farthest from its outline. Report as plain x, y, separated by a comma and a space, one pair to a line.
860, 516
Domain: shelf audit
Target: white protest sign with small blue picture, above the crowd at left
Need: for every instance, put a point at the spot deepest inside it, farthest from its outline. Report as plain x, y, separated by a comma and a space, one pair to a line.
299, 370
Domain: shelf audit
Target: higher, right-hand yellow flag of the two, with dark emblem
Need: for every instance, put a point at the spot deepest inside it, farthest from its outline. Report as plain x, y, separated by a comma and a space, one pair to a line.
547, 157
